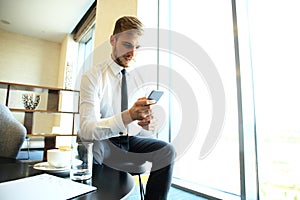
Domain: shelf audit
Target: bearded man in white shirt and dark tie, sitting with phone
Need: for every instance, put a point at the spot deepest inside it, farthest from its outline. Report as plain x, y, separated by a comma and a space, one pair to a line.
111, 128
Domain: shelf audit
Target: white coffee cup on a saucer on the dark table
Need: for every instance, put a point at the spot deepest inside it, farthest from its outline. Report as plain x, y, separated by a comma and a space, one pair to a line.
59, 158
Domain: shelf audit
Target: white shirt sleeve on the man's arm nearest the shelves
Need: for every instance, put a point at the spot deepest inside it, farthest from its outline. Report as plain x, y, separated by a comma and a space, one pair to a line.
92, 125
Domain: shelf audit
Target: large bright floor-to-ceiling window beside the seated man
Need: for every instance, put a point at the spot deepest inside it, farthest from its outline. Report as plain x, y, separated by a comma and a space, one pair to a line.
253, 46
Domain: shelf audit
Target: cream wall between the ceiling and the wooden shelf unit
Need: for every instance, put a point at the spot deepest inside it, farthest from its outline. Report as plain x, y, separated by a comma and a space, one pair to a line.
28, 60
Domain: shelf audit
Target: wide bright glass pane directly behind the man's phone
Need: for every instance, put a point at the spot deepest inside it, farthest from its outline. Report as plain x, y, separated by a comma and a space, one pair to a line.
201, 30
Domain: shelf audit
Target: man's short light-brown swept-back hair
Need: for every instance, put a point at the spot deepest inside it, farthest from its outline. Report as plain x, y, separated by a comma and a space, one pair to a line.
128, 23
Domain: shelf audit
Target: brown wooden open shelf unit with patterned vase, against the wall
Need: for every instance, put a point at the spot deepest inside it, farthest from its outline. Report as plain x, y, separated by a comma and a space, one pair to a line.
51, 106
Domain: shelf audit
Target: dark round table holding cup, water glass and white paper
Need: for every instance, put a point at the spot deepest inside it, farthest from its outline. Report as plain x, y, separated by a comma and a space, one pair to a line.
111, 184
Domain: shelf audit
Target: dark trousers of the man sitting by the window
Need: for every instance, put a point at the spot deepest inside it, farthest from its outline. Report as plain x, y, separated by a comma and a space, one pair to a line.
159, 153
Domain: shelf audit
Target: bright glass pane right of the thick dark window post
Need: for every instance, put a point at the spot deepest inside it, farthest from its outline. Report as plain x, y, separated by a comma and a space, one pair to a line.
275, 45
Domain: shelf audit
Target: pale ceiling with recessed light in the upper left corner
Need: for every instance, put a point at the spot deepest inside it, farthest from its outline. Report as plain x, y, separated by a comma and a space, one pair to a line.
44, 19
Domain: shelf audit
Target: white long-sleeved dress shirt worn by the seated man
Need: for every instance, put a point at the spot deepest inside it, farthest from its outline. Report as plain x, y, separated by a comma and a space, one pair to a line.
100, 104
